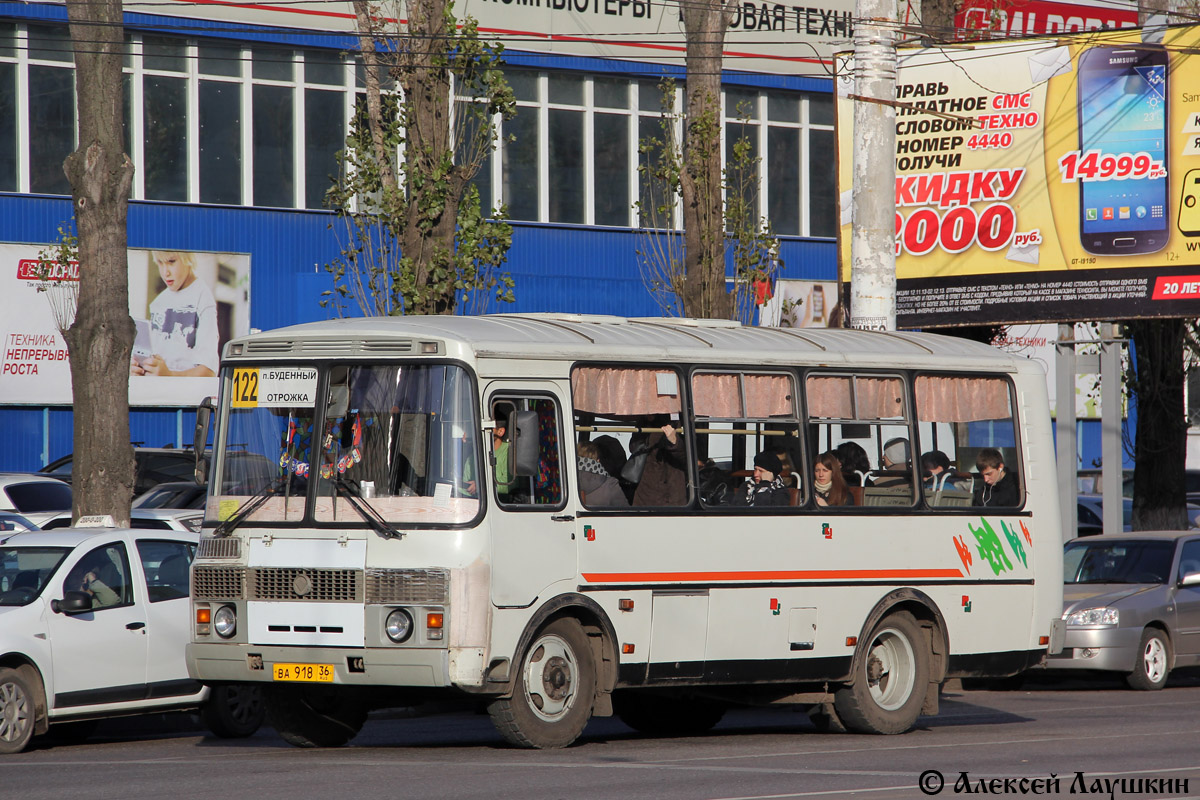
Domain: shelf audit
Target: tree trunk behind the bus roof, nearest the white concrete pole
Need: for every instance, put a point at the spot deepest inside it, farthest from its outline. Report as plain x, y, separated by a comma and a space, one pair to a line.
704, 221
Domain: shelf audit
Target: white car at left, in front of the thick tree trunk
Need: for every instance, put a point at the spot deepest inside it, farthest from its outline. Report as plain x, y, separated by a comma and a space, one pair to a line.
93, 624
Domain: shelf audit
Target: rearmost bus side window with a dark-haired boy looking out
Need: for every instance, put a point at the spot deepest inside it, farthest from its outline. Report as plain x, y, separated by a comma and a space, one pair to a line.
968, 432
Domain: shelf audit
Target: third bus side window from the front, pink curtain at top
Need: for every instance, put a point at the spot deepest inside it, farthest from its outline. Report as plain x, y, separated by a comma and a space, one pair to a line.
865, 422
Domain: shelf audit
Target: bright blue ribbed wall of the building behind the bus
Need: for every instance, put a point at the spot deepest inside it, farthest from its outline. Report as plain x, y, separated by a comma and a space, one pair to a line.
556, 268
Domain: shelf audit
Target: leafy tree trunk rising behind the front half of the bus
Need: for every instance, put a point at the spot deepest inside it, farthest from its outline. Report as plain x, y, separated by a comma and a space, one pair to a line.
435, 184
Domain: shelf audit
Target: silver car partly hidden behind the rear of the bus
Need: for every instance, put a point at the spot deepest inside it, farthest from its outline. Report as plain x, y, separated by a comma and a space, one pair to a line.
1132, 605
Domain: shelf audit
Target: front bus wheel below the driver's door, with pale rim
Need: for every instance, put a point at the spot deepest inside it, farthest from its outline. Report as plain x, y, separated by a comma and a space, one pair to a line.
556, 685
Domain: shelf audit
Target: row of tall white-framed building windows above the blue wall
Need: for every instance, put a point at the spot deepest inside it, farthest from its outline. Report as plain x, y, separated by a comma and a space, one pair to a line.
223, 123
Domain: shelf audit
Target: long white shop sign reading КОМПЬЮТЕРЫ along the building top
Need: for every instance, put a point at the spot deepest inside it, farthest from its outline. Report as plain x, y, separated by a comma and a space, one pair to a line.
778, 39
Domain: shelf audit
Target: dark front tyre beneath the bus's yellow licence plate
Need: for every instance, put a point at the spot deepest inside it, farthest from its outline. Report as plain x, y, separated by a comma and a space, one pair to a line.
309, 717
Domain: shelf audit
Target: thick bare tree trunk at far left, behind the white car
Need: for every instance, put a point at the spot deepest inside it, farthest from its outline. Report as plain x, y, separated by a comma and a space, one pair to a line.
101, 339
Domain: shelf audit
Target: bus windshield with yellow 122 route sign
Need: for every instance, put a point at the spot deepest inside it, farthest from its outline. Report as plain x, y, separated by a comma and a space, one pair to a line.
400, 438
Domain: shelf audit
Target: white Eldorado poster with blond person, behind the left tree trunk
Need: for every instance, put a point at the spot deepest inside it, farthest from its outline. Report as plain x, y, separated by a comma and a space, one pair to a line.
185, 306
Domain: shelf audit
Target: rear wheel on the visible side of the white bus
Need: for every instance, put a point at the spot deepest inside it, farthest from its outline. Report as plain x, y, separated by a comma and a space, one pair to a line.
891, 681
